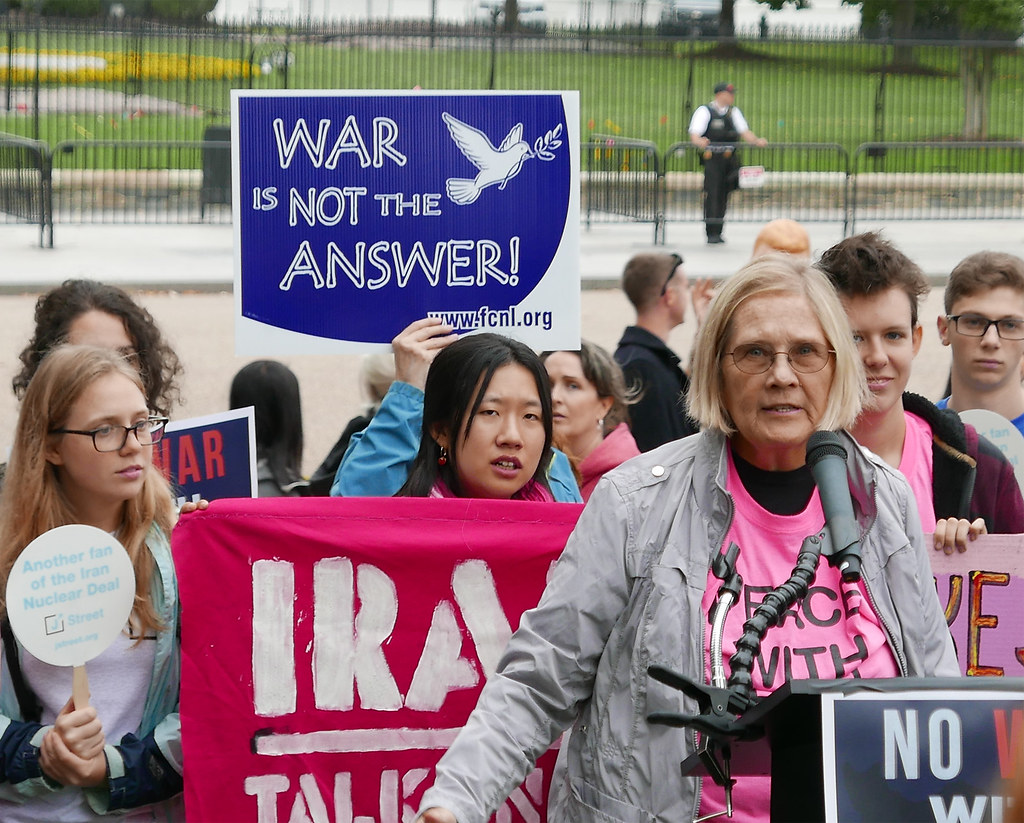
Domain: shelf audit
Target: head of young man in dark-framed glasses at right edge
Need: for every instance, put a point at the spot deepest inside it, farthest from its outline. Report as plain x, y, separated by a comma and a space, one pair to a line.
985, 327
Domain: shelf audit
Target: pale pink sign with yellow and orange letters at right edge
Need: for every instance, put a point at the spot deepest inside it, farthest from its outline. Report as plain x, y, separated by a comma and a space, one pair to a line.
983, 592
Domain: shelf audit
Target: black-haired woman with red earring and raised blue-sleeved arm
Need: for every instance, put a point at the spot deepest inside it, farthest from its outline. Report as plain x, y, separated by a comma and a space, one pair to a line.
401, 452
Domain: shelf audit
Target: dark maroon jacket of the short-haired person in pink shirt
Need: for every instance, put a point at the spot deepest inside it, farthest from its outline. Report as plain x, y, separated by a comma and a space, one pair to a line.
971, 478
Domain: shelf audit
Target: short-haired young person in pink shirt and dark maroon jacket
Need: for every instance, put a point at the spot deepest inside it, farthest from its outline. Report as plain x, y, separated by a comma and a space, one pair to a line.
964, 486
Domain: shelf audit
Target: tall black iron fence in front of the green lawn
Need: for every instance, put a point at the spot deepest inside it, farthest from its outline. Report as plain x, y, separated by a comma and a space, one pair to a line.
135, 80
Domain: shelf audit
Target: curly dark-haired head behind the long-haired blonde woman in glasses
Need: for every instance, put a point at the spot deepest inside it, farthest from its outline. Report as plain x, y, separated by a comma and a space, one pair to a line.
83, 312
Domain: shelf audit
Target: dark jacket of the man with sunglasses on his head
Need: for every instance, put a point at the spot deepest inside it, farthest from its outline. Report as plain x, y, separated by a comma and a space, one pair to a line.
660, 414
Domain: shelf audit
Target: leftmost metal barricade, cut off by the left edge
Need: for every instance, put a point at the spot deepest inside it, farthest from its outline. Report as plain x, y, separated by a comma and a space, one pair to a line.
25, 184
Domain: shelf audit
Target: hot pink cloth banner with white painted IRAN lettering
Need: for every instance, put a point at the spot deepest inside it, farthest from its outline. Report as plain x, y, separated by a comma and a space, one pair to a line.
333, 648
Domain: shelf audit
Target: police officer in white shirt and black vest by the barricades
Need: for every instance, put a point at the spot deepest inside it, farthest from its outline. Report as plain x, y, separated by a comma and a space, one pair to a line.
715, 129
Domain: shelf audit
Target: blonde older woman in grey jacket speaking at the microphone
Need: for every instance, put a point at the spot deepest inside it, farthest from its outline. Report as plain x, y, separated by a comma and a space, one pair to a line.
775, 364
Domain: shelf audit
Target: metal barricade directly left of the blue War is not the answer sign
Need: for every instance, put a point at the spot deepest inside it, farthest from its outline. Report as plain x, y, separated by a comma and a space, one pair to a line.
141, 182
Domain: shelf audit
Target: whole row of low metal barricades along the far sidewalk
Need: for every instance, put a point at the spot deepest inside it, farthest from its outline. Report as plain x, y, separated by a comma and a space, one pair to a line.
622, 181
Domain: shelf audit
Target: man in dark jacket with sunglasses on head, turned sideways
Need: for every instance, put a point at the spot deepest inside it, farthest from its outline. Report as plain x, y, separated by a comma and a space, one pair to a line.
657, 286
